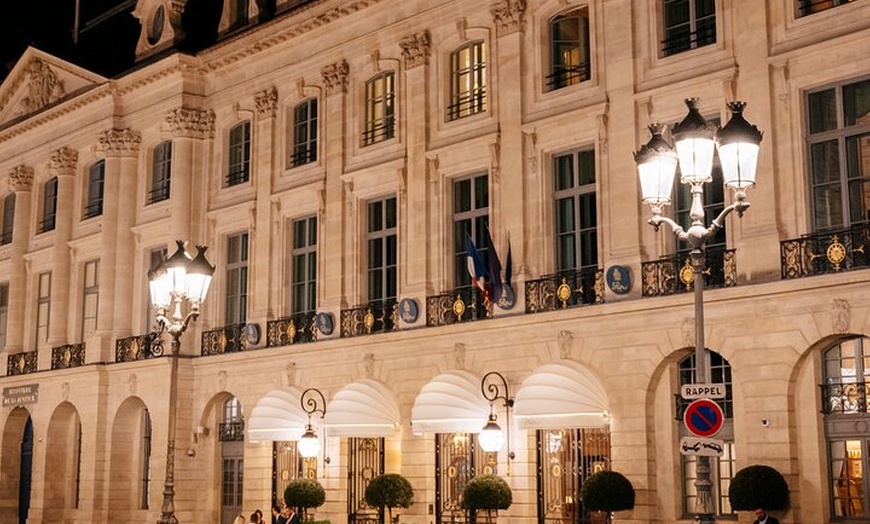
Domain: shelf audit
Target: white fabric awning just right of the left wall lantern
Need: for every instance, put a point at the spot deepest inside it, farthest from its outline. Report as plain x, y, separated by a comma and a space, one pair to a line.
365, 408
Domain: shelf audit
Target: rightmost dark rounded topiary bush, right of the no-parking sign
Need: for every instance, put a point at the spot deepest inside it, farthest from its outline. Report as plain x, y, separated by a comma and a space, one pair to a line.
758, 486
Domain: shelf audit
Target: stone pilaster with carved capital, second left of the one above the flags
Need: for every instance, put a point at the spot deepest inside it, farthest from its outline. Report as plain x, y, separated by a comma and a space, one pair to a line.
330, 288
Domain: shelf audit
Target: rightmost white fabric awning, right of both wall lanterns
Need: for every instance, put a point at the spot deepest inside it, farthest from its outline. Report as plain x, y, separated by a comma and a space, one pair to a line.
561, 395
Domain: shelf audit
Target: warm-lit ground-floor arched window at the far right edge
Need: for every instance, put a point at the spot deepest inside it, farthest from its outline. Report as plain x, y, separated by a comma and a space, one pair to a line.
846, 370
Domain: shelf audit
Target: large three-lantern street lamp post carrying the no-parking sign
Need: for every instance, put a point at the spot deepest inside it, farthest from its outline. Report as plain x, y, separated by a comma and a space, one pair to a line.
737, 144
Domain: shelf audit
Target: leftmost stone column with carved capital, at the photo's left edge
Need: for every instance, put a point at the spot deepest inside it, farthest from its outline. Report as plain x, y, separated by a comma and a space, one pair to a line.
21, 183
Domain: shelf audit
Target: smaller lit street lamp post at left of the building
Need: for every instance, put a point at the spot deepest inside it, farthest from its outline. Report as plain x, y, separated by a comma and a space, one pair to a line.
173, 281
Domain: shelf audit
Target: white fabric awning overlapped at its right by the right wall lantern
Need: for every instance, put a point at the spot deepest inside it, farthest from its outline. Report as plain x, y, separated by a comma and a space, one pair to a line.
450, 403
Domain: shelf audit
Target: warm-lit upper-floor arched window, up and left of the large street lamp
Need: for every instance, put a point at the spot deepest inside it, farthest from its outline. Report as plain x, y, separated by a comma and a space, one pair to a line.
569, 49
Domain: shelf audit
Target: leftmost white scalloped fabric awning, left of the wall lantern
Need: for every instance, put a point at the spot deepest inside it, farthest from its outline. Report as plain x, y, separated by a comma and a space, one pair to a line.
278, 416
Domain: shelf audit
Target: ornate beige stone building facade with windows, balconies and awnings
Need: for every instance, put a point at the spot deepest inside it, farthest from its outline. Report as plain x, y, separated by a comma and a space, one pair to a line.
334, 155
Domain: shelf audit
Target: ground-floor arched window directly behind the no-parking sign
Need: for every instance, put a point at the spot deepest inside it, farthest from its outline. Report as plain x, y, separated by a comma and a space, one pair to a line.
722, 468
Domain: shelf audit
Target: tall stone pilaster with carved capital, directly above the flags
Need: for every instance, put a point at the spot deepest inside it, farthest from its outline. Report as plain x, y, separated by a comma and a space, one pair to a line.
506, 152
